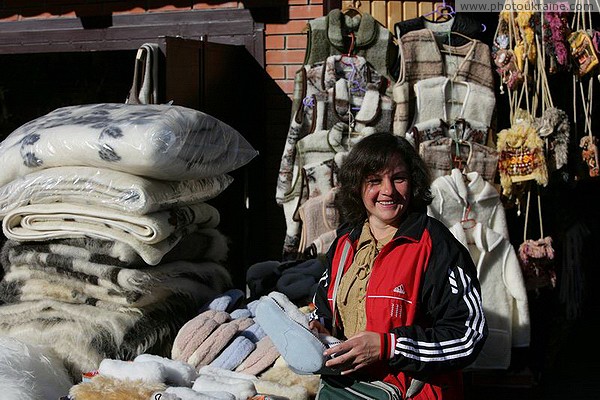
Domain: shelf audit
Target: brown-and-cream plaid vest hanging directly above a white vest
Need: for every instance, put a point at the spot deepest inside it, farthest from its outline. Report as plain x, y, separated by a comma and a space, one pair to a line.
421, 59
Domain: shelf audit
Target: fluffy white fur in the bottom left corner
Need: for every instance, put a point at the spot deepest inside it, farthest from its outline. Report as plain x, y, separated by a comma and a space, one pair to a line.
31, 372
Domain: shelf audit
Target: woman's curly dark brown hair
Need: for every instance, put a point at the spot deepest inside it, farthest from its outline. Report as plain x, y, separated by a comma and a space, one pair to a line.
370, 155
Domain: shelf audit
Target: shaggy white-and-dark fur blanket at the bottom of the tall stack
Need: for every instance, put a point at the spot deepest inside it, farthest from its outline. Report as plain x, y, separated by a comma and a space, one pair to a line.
83, 335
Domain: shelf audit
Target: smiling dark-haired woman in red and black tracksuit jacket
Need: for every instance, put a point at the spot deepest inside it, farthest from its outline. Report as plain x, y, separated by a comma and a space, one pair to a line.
405, 292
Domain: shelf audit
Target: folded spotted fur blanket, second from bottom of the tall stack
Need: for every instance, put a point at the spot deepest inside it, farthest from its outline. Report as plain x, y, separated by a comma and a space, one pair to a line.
32, 282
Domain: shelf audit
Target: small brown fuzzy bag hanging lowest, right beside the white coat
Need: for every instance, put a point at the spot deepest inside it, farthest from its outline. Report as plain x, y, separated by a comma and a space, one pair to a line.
536, 256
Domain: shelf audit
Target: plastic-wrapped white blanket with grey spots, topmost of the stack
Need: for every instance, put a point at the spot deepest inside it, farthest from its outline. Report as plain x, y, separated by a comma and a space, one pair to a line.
152, 140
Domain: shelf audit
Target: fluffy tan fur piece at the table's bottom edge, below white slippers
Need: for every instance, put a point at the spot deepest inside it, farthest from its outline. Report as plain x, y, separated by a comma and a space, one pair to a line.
107, 388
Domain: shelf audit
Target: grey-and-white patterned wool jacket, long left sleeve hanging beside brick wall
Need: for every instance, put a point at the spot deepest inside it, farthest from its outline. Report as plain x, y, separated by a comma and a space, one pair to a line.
340, 90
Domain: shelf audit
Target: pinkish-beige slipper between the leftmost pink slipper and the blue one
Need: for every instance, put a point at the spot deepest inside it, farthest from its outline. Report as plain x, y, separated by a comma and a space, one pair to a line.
216, 341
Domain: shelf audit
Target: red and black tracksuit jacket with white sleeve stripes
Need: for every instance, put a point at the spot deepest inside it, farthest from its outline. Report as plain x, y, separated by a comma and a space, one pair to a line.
423, 297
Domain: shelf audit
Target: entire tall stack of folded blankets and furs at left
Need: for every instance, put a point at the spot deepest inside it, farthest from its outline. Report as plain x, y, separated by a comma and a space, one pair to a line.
111, 245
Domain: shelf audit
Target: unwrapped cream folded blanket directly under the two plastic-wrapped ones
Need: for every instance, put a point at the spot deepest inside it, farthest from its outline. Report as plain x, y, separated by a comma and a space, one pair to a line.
151, 235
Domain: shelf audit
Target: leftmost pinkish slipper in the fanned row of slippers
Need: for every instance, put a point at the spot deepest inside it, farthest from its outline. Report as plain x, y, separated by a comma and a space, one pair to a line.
195, 331
